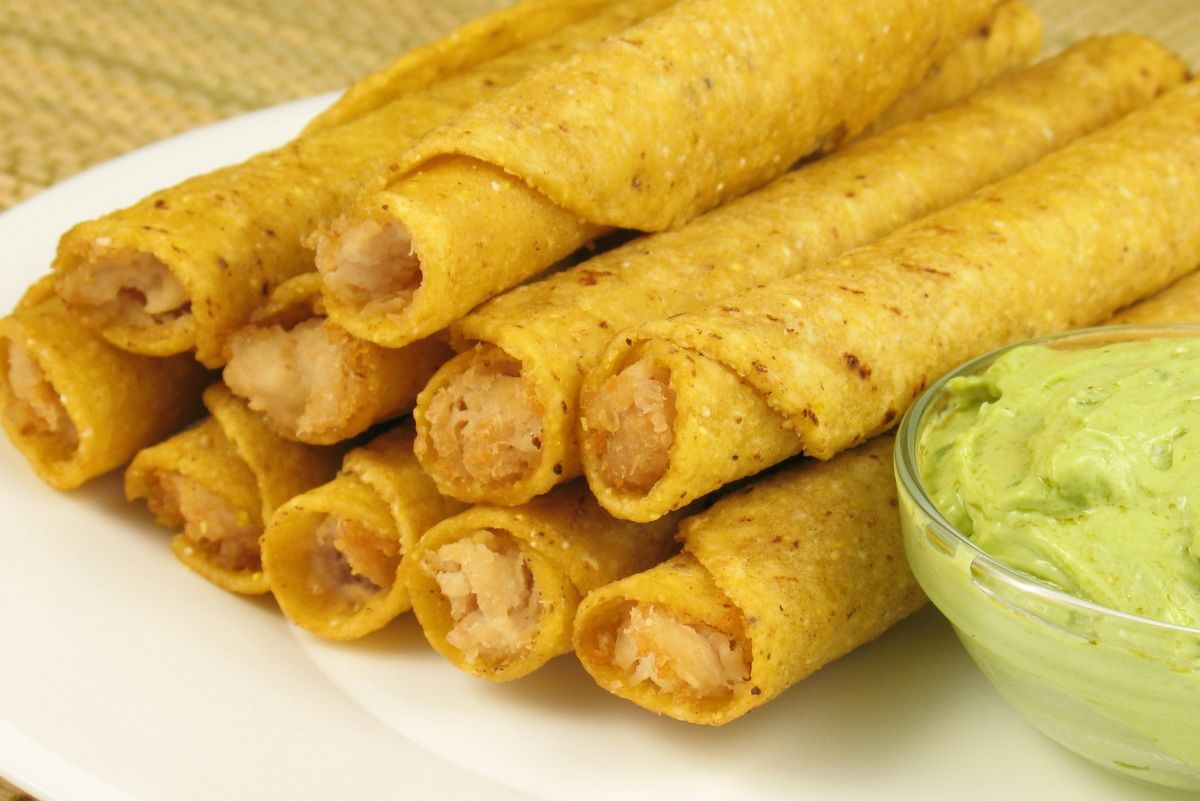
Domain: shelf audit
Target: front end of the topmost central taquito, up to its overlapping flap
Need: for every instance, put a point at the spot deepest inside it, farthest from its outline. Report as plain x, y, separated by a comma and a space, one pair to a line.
406, 263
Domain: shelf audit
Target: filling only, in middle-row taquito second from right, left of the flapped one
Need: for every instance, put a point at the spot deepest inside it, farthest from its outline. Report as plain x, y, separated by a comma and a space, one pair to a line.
485, 425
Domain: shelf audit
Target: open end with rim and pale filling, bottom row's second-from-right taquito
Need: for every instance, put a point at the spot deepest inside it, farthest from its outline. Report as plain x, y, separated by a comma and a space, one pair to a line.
489, 603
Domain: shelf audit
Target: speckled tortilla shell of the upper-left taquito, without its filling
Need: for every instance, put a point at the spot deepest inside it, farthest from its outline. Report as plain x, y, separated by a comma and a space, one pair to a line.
231, 237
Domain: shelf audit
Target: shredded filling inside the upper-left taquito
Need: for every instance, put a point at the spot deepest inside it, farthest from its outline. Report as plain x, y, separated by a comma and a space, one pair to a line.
137, 291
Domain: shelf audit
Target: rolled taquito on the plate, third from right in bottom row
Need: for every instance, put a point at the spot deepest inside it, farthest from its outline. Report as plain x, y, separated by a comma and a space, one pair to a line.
333, 555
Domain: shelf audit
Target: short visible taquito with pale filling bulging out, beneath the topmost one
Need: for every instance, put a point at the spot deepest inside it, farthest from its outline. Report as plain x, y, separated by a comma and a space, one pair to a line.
316, 383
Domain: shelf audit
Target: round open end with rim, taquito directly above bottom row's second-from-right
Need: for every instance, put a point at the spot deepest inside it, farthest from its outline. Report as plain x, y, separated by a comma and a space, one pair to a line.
482, 433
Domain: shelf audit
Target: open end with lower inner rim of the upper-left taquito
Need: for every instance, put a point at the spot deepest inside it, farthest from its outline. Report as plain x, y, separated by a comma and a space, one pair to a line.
133, 298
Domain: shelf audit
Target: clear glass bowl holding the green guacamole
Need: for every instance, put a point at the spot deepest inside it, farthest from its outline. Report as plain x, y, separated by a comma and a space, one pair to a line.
1120, 690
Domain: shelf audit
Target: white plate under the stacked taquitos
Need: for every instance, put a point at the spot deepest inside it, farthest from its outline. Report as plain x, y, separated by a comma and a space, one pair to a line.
123, 676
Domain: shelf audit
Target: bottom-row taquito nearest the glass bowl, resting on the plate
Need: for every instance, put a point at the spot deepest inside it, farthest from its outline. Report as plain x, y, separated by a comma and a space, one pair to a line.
775, 582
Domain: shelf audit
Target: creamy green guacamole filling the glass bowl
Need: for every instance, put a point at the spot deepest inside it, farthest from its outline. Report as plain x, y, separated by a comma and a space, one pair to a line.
1081, 468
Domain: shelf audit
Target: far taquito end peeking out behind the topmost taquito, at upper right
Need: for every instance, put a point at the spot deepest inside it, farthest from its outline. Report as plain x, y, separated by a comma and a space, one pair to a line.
1009, 40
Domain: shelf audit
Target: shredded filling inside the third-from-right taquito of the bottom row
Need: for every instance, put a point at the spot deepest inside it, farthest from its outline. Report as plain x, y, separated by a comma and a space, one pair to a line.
351, 561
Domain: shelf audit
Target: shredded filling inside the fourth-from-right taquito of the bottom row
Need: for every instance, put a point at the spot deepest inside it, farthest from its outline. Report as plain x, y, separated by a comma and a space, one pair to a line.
227, 533
